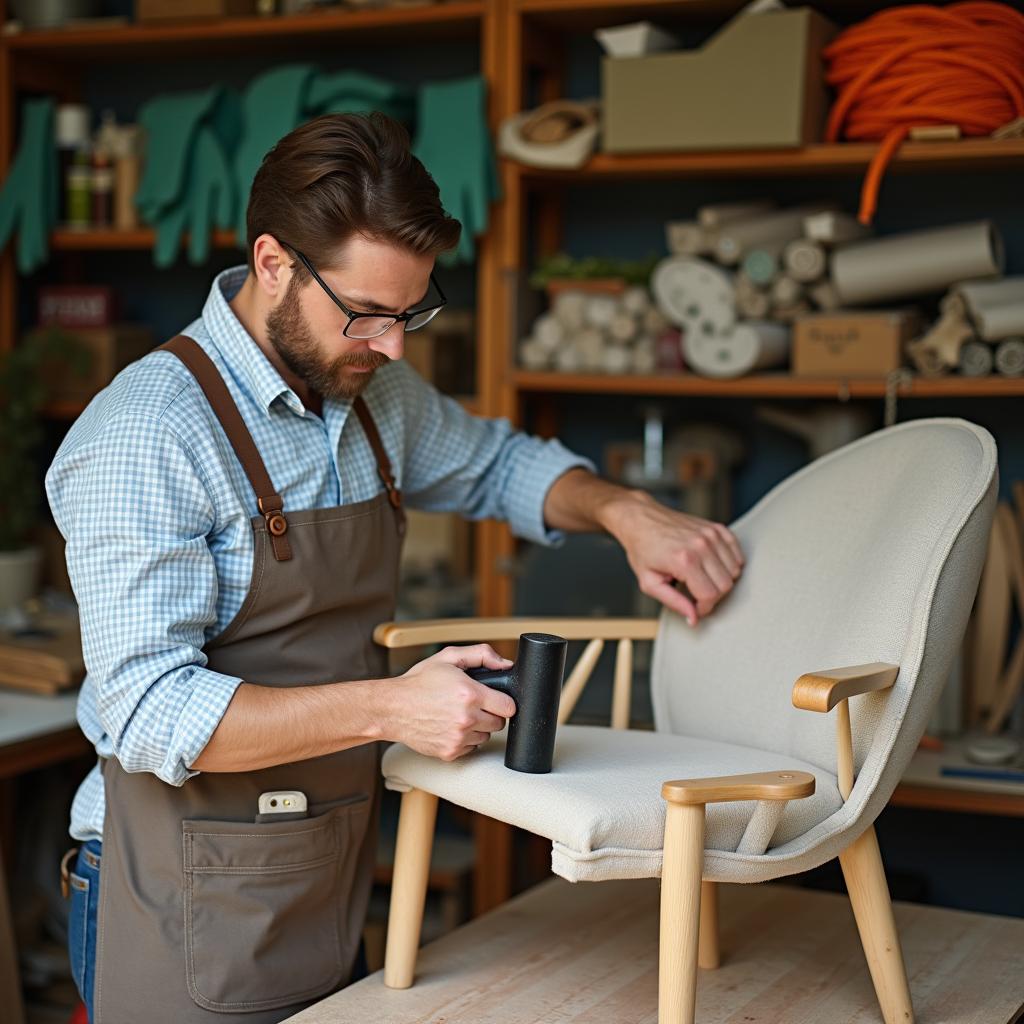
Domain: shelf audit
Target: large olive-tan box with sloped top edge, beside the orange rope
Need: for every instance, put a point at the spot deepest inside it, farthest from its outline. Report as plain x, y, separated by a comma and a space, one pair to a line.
758, 83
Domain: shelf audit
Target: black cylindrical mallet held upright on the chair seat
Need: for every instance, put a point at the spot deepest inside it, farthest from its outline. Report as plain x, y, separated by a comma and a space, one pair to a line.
535, 684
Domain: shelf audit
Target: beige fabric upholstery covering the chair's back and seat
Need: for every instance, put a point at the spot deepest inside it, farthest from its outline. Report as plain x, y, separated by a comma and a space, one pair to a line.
872, 553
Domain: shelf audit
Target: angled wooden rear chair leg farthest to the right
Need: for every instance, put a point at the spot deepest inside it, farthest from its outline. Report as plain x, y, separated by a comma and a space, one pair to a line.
866, 880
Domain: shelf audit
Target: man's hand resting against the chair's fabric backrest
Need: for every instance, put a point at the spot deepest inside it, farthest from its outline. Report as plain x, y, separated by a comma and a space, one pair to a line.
665, 546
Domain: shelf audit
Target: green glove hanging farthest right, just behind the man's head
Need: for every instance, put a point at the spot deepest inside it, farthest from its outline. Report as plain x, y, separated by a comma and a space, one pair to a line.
454, 144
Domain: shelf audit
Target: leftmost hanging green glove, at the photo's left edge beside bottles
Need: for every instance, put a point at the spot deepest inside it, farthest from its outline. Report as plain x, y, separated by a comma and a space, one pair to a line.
29, 199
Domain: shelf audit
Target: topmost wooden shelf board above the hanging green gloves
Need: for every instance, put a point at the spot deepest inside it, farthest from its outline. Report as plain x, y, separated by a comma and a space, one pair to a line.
246, 34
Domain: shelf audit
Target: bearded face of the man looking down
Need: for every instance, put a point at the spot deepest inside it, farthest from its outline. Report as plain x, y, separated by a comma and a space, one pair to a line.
307, 328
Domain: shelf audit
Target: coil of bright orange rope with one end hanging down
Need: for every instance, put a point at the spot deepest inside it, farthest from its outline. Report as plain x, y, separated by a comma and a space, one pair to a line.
917, 66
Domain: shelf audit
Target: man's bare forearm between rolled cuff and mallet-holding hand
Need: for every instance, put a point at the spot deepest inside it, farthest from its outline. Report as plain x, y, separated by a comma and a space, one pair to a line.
266, 726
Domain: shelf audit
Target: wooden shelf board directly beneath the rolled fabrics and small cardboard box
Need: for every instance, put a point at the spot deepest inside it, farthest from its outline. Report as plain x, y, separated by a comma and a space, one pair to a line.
763, 387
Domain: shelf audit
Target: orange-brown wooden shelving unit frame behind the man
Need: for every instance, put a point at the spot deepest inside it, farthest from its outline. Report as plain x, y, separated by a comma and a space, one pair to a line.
521, 42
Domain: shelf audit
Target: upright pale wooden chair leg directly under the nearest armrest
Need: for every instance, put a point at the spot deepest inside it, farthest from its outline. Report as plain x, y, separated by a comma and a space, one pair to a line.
681, 870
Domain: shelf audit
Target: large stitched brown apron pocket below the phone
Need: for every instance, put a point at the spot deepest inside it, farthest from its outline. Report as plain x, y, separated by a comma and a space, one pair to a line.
264, 908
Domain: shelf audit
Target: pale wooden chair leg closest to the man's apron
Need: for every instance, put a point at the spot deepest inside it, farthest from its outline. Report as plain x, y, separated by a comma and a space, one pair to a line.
409, 886
